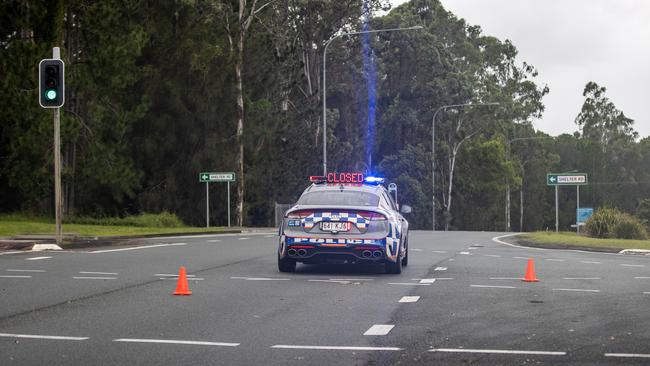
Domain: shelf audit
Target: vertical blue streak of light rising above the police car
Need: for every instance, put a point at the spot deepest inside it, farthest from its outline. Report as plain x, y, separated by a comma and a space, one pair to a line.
370, 73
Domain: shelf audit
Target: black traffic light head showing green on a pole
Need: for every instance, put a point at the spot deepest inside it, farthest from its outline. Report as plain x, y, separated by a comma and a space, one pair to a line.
51, 83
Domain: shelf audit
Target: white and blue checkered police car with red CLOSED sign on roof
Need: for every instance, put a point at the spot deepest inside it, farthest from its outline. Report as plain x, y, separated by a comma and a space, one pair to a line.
344, 218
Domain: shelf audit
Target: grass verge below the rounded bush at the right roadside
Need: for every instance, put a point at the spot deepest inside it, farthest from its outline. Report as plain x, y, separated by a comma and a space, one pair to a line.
571, 239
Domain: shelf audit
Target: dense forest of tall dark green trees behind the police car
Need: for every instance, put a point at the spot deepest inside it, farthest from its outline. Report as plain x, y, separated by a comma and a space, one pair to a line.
158, 91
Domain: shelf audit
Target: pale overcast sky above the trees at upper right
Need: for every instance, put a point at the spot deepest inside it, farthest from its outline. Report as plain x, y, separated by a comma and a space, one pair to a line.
572, 42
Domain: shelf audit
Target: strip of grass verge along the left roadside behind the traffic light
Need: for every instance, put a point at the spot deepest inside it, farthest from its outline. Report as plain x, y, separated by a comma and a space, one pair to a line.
12, 225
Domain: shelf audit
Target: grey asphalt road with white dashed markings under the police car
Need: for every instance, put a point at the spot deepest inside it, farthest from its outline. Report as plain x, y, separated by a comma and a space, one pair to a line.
460, 301
